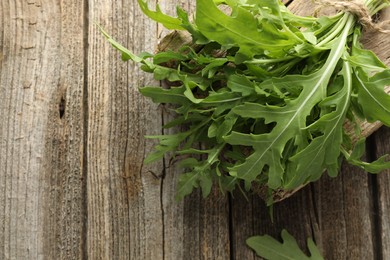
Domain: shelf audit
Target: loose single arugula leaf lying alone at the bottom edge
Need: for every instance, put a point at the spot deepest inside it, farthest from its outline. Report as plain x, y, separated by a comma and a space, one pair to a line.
269, 248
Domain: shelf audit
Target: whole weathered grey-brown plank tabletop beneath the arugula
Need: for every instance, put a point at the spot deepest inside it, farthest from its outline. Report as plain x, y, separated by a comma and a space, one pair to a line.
72, 180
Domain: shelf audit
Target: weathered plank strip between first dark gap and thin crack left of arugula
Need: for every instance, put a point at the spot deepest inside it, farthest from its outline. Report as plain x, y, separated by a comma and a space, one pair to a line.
124, 209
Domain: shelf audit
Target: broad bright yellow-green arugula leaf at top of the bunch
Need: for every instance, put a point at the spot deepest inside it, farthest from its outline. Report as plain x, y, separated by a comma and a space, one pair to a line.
242, 30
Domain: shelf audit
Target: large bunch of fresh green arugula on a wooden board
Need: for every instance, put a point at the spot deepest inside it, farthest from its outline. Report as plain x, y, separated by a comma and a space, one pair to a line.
262, 94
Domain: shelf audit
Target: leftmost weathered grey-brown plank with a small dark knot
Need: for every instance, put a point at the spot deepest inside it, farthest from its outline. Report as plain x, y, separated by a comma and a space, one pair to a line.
41, 187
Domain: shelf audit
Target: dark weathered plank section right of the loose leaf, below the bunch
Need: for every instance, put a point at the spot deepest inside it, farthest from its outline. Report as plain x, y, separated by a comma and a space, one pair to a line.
344, 209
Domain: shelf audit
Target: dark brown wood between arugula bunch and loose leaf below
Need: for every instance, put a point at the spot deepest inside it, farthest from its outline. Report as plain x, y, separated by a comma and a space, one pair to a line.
252, 217
